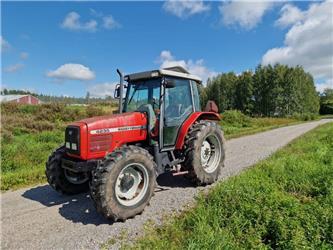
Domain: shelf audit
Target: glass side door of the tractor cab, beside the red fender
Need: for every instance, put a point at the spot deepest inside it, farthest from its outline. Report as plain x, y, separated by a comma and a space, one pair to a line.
178, 105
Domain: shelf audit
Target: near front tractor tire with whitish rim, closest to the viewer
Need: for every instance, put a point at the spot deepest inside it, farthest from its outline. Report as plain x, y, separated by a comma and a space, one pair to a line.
124, 182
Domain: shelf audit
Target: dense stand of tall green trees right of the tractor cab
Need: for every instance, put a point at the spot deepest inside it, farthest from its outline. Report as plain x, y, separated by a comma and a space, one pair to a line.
277, 90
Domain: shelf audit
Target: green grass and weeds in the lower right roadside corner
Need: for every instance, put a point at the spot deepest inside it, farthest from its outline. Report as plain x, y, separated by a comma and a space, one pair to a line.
284, 202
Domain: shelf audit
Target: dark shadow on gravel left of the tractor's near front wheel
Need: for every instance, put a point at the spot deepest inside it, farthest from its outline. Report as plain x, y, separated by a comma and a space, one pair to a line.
76, 208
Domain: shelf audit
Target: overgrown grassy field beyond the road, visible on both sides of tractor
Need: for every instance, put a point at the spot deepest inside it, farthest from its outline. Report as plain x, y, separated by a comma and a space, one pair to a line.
30, 133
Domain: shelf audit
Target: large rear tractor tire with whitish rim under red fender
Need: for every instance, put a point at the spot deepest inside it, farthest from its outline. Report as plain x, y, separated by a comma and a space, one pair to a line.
204, 152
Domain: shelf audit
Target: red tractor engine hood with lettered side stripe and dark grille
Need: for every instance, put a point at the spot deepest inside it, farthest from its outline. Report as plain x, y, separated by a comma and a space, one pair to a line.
102, 134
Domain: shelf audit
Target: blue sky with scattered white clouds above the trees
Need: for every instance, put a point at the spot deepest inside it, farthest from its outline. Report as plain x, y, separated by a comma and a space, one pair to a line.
69, 48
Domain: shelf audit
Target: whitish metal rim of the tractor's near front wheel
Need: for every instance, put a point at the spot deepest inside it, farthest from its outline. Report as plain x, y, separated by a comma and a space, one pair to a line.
132, 184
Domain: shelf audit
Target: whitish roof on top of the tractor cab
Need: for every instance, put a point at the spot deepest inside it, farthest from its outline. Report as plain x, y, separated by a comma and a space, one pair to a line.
173, 71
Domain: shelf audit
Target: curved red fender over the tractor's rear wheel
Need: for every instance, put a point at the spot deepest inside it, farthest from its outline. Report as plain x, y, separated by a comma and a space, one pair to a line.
188, 123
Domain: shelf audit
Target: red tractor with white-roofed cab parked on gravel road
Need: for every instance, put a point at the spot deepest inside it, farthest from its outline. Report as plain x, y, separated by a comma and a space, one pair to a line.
160, 127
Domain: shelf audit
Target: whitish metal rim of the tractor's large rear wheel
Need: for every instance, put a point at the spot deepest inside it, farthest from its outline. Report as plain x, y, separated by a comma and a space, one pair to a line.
210, 153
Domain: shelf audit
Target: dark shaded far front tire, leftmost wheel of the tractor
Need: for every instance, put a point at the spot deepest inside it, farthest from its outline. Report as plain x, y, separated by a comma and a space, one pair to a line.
58, 178
